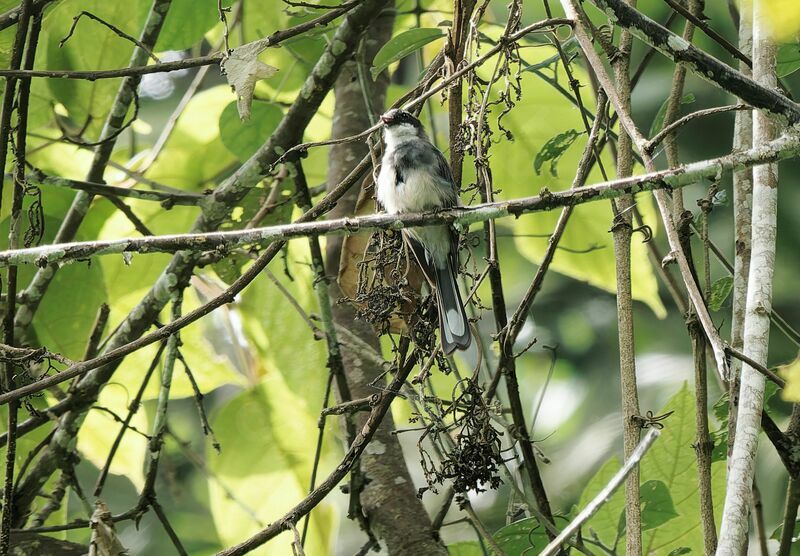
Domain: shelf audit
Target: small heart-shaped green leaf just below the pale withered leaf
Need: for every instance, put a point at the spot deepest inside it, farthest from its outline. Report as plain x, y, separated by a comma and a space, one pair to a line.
243, 138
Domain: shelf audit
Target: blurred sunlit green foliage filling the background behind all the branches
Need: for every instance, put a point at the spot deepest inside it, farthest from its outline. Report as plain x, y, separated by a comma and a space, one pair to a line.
262, 375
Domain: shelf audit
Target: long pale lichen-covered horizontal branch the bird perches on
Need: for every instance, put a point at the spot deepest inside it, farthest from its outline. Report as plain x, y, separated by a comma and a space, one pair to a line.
778, 149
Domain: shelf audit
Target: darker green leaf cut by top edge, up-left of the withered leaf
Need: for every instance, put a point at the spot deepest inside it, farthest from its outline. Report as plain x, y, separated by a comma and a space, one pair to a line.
187, 22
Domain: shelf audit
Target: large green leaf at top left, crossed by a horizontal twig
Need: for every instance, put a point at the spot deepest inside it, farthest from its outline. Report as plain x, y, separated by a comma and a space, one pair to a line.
92, 46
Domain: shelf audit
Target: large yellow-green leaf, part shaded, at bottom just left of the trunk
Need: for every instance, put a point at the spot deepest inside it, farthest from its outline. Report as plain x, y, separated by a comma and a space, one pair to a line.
267, 435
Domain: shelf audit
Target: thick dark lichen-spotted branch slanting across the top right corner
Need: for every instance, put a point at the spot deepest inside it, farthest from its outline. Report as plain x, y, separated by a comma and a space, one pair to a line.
703, 65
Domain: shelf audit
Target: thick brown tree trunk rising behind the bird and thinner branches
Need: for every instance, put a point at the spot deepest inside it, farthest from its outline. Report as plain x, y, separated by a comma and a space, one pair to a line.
388, 498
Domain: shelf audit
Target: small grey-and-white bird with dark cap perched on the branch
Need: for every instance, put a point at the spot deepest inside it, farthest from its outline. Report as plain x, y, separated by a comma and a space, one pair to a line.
415, 177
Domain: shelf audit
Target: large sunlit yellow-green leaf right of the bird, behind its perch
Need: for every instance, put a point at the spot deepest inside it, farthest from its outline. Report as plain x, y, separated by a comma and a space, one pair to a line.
541, 114
